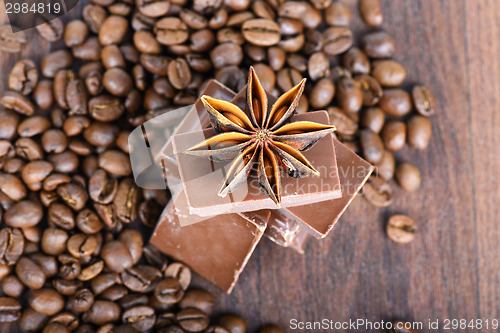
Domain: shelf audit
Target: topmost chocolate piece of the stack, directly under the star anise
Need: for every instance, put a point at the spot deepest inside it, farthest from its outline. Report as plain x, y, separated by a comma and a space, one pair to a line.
202, 178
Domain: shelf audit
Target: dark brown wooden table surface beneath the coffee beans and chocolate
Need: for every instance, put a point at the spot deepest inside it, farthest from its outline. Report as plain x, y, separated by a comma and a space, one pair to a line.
451, 270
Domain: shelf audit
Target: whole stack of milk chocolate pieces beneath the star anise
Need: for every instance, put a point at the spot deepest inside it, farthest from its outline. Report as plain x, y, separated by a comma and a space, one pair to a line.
216, 235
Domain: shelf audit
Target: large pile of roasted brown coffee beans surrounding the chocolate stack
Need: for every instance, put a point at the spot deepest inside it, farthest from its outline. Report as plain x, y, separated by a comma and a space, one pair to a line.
71, 254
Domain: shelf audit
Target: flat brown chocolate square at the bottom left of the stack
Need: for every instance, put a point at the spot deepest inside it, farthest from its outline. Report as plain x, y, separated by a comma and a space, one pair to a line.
218, 249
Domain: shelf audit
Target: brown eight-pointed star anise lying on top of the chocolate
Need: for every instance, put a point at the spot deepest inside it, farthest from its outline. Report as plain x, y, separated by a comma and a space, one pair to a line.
262, 137
